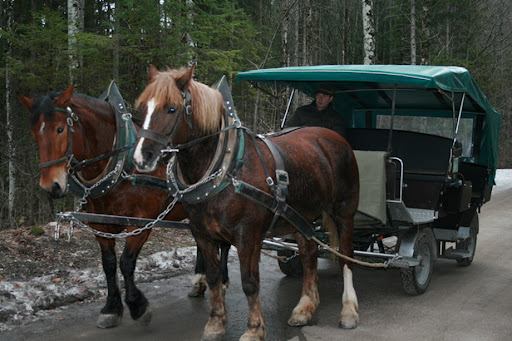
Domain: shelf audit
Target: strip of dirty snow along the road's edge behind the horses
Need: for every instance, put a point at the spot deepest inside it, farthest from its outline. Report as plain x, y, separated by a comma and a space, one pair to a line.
25, 301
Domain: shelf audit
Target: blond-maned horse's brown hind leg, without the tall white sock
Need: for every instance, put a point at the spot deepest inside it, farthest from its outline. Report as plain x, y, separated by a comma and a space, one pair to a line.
310, 299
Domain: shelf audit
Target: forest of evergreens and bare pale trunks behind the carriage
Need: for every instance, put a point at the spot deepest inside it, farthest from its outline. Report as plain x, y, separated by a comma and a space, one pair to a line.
49, 44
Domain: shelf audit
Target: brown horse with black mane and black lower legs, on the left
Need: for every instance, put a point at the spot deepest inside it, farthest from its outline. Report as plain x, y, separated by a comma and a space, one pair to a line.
86, 131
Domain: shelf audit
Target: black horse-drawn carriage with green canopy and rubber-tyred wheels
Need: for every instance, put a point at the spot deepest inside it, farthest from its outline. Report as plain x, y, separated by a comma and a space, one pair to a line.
426, 141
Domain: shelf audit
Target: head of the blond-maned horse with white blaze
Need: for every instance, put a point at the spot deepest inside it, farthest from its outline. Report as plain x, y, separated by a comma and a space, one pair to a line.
175, 109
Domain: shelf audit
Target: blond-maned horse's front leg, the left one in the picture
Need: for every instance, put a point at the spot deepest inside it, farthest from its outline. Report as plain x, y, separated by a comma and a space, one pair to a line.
216, 326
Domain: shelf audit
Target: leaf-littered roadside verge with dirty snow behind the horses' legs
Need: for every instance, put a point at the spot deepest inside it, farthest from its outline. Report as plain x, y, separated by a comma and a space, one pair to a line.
38, 274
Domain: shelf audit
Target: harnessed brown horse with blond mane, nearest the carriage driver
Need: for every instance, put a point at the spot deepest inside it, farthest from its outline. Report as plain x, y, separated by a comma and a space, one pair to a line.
323, 181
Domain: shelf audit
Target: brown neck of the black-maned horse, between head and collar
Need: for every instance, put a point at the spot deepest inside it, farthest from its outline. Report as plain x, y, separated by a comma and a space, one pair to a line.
96, 132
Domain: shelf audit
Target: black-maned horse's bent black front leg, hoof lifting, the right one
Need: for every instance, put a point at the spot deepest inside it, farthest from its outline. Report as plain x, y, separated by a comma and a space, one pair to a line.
135, 300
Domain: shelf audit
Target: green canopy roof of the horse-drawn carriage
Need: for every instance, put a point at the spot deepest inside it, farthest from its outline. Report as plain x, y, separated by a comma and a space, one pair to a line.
420, 89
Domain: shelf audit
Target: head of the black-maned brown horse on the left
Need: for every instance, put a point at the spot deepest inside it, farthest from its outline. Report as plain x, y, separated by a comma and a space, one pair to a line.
52, 129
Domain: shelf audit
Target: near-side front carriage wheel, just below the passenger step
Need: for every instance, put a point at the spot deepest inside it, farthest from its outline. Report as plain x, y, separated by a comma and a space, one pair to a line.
416, 279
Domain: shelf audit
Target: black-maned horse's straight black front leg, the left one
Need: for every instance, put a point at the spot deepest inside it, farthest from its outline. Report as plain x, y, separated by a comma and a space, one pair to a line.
112, 312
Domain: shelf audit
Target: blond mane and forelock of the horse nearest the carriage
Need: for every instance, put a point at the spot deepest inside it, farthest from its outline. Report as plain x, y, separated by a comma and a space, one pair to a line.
206, 102
